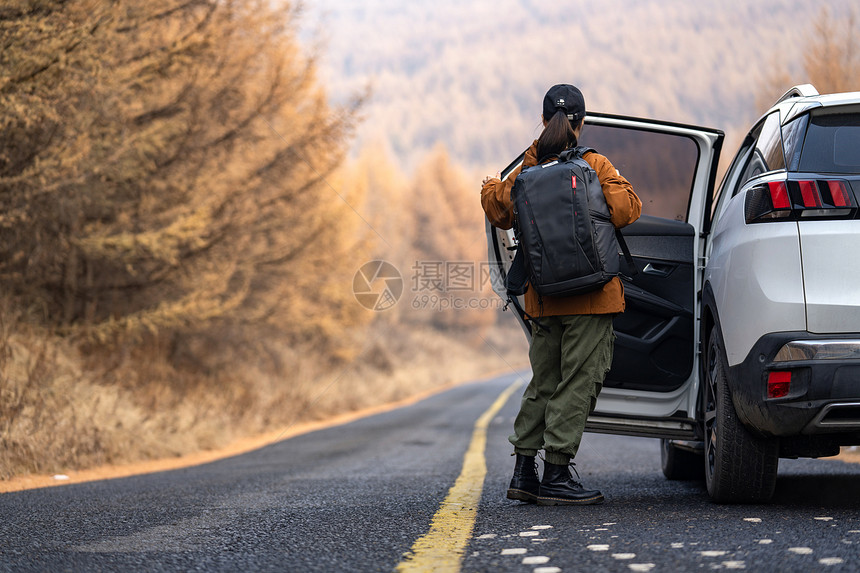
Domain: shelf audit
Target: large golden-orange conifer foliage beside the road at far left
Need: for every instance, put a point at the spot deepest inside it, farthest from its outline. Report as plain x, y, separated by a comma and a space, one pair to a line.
166, 165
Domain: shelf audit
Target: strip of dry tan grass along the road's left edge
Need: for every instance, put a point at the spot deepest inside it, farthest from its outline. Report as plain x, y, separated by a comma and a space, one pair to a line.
63, 410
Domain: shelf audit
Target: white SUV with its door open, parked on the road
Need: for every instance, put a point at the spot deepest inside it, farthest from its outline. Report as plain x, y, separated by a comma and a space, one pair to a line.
741, 339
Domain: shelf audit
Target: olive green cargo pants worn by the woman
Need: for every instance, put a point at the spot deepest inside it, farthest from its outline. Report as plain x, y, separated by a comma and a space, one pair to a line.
569, 361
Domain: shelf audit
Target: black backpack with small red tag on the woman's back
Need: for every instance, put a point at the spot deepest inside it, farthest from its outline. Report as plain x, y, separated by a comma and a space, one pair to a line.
567, 244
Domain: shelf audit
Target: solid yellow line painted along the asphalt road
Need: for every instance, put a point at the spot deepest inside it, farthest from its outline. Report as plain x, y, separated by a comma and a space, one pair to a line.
441, 549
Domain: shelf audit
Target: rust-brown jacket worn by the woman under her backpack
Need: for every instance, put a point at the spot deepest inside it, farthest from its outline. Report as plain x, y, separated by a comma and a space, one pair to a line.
624, 208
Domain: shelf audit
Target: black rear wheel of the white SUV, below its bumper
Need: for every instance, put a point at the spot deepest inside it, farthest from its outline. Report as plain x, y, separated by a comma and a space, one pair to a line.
739, 466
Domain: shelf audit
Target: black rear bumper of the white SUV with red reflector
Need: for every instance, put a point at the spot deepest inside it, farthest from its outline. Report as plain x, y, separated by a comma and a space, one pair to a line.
823, 391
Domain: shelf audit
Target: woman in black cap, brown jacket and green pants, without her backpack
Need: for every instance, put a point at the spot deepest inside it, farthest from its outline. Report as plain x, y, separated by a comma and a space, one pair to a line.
571, 356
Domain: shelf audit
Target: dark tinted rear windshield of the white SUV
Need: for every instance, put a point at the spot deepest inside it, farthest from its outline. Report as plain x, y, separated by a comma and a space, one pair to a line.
832, 144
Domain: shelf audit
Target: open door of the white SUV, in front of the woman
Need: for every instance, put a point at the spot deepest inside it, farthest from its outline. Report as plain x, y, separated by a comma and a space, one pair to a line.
652, 388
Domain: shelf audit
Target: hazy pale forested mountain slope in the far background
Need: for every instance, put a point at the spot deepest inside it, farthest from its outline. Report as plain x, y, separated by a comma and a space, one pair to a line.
471, 74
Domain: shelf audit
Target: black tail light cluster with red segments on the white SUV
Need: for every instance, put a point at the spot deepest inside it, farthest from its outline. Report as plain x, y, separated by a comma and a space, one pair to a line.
804, 199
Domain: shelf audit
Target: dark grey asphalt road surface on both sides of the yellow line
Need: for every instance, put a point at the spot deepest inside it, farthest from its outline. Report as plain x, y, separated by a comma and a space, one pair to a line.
357, 497
